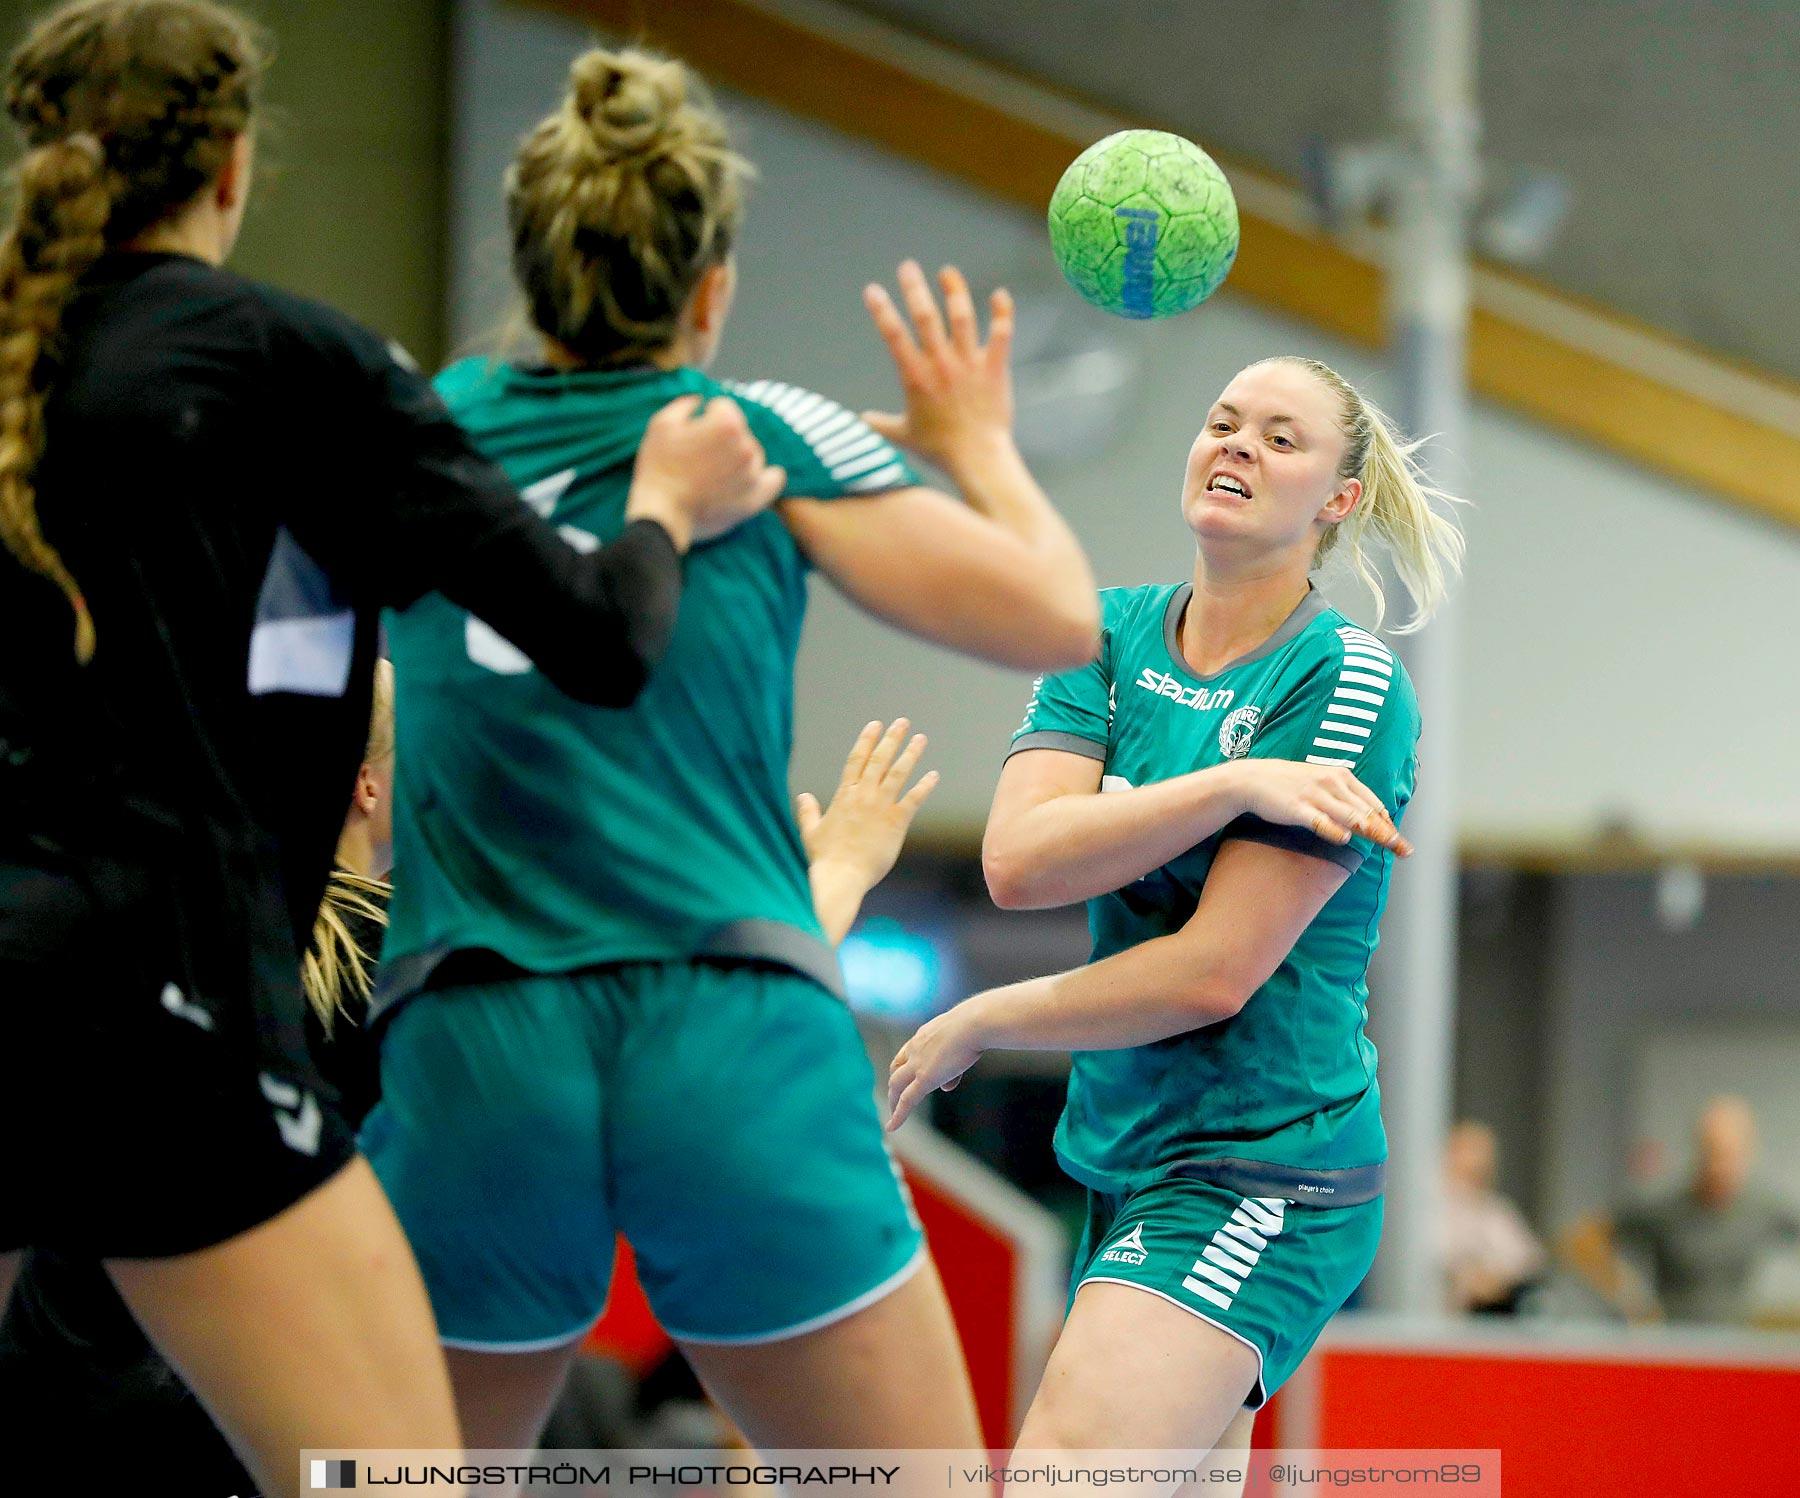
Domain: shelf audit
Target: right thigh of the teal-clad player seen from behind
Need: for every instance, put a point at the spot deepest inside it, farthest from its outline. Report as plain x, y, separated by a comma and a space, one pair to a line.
890, 1375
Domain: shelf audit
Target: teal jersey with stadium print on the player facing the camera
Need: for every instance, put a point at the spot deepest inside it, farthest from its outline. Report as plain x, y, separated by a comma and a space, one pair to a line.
1291, 1078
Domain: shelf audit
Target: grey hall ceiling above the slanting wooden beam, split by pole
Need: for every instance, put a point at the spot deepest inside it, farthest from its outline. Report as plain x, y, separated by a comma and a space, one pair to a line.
1673, 123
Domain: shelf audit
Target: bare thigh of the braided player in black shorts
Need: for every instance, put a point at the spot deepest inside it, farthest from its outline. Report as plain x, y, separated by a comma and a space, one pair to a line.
310, 1330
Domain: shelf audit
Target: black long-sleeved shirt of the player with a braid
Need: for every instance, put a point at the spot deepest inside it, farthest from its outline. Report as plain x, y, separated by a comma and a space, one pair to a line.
240, 480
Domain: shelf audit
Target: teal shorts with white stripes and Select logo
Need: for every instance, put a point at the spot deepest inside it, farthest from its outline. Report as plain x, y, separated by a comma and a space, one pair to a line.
1264, 1270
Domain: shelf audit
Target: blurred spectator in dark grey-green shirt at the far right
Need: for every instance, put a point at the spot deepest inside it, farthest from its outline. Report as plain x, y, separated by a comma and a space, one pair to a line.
1700, 1247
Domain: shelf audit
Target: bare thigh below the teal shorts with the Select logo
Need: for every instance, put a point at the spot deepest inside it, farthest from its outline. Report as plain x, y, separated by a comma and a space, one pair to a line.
1135, 1371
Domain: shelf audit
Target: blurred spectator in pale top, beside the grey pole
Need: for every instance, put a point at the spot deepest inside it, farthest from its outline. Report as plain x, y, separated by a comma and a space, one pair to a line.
1489, 1256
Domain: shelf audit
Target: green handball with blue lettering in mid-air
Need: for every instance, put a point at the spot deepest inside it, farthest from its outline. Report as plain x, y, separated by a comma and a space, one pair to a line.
1144, 224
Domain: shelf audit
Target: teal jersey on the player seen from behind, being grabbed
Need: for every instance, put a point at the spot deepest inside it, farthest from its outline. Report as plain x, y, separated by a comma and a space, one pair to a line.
561, 836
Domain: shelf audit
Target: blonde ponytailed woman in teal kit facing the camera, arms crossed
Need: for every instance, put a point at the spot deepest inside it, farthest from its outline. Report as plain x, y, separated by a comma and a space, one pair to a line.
1223, 788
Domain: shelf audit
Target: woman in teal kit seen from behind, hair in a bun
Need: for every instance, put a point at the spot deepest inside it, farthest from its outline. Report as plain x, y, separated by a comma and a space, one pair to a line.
606, 937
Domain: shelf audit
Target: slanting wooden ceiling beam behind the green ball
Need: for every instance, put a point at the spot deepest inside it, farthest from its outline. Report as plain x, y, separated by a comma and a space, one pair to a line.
1563, 363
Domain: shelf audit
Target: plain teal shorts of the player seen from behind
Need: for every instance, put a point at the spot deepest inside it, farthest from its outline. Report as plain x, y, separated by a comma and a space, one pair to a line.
719, 1115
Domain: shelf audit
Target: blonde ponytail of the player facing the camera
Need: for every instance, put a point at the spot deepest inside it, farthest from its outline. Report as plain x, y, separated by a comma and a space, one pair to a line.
1398, 505
